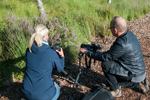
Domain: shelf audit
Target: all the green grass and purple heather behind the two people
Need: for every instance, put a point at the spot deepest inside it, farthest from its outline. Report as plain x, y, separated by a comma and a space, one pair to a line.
85, 18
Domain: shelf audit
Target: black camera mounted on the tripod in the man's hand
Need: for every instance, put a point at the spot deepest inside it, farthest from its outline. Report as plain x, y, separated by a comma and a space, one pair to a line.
92, 47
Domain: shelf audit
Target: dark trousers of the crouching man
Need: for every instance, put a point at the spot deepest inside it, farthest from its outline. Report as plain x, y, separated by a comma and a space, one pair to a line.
116, 80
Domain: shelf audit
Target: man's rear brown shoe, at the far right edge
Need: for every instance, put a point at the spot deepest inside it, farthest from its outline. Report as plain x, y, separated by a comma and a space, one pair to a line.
144, 86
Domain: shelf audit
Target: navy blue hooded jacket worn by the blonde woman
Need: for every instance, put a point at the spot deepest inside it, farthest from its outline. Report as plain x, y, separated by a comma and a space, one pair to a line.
37, 83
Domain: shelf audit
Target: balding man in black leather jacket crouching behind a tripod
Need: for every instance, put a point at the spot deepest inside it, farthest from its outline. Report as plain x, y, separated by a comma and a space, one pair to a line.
123, 65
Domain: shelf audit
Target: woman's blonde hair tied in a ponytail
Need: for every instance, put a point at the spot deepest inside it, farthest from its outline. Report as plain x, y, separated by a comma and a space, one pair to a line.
40, 32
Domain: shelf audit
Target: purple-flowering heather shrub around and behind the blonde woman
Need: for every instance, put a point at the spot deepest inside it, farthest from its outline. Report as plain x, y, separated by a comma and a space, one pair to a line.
15, 35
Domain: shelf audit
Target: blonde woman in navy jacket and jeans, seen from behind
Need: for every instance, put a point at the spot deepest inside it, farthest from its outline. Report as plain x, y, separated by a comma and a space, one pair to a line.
40, 61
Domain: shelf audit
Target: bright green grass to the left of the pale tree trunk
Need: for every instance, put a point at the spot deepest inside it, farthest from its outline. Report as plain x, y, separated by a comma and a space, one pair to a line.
20, 8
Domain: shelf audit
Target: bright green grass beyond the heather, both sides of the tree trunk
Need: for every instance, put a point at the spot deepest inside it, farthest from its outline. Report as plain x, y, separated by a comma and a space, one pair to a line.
88, 18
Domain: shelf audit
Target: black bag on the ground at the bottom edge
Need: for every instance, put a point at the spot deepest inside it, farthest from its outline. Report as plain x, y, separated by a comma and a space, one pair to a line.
99, 93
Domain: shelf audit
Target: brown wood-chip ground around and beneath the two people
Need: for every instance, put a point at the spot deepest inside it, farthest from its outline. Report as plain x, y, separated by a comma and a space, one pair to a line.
140, 27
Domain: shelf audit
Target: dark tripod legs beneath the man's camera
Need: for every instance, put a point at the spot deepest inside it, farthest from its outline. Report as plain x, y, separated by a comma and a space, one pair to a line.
78, 76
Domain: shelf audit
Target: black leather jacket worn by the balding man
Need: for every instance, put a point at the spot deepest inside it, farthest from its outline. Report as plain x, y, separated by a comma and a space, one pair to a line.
126, 51
